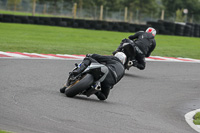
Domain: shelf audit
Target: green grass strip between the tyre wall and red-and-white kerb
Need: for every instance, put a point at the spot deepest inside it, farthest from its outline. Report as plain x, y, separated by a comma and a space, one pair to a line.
62, 40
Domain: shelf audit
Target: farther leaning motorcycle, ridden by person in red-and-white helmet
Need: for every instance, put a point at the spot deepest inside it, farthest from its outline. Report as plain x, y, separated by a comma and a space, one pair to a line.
127, 48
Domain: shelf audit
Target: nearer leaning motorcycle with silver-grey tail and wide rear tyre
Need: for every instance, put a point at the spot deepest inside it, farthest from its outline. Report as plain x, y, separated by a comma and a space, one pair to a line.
87, 82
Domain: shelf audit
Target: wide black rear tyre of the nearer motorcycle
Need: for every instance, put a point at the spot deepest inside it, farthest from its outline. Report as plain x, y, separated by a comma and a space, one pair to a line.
79, 86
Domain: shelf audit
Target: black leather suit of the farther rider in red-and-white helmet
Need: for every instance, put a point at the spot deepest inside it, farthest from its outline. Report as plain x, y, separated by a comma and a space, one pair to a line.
144, 45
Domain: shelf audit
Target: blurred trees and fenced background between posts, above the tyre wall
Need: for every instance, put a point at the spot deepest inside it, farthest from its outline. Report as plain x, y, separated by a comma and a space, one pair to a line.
138, 10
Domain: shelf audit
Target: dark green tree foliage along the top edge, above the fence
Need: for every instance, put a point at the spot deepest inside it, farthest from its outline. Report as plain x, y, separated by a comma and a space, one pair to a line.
149, 7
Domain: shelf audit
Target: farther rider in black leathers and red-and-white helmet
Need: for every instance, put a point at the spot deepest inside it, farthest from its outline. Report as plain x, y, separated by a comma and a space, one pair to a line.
143, 44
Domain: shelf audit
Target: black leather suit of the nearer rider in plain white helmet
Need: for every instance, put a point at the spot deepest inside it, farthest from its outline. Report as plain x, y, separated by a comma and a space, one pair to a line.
116, 72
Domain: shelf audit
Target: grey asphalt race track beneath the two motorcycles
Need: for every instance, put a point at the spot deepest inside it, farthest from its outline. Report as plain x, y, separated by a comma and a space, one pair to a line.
151, 101
